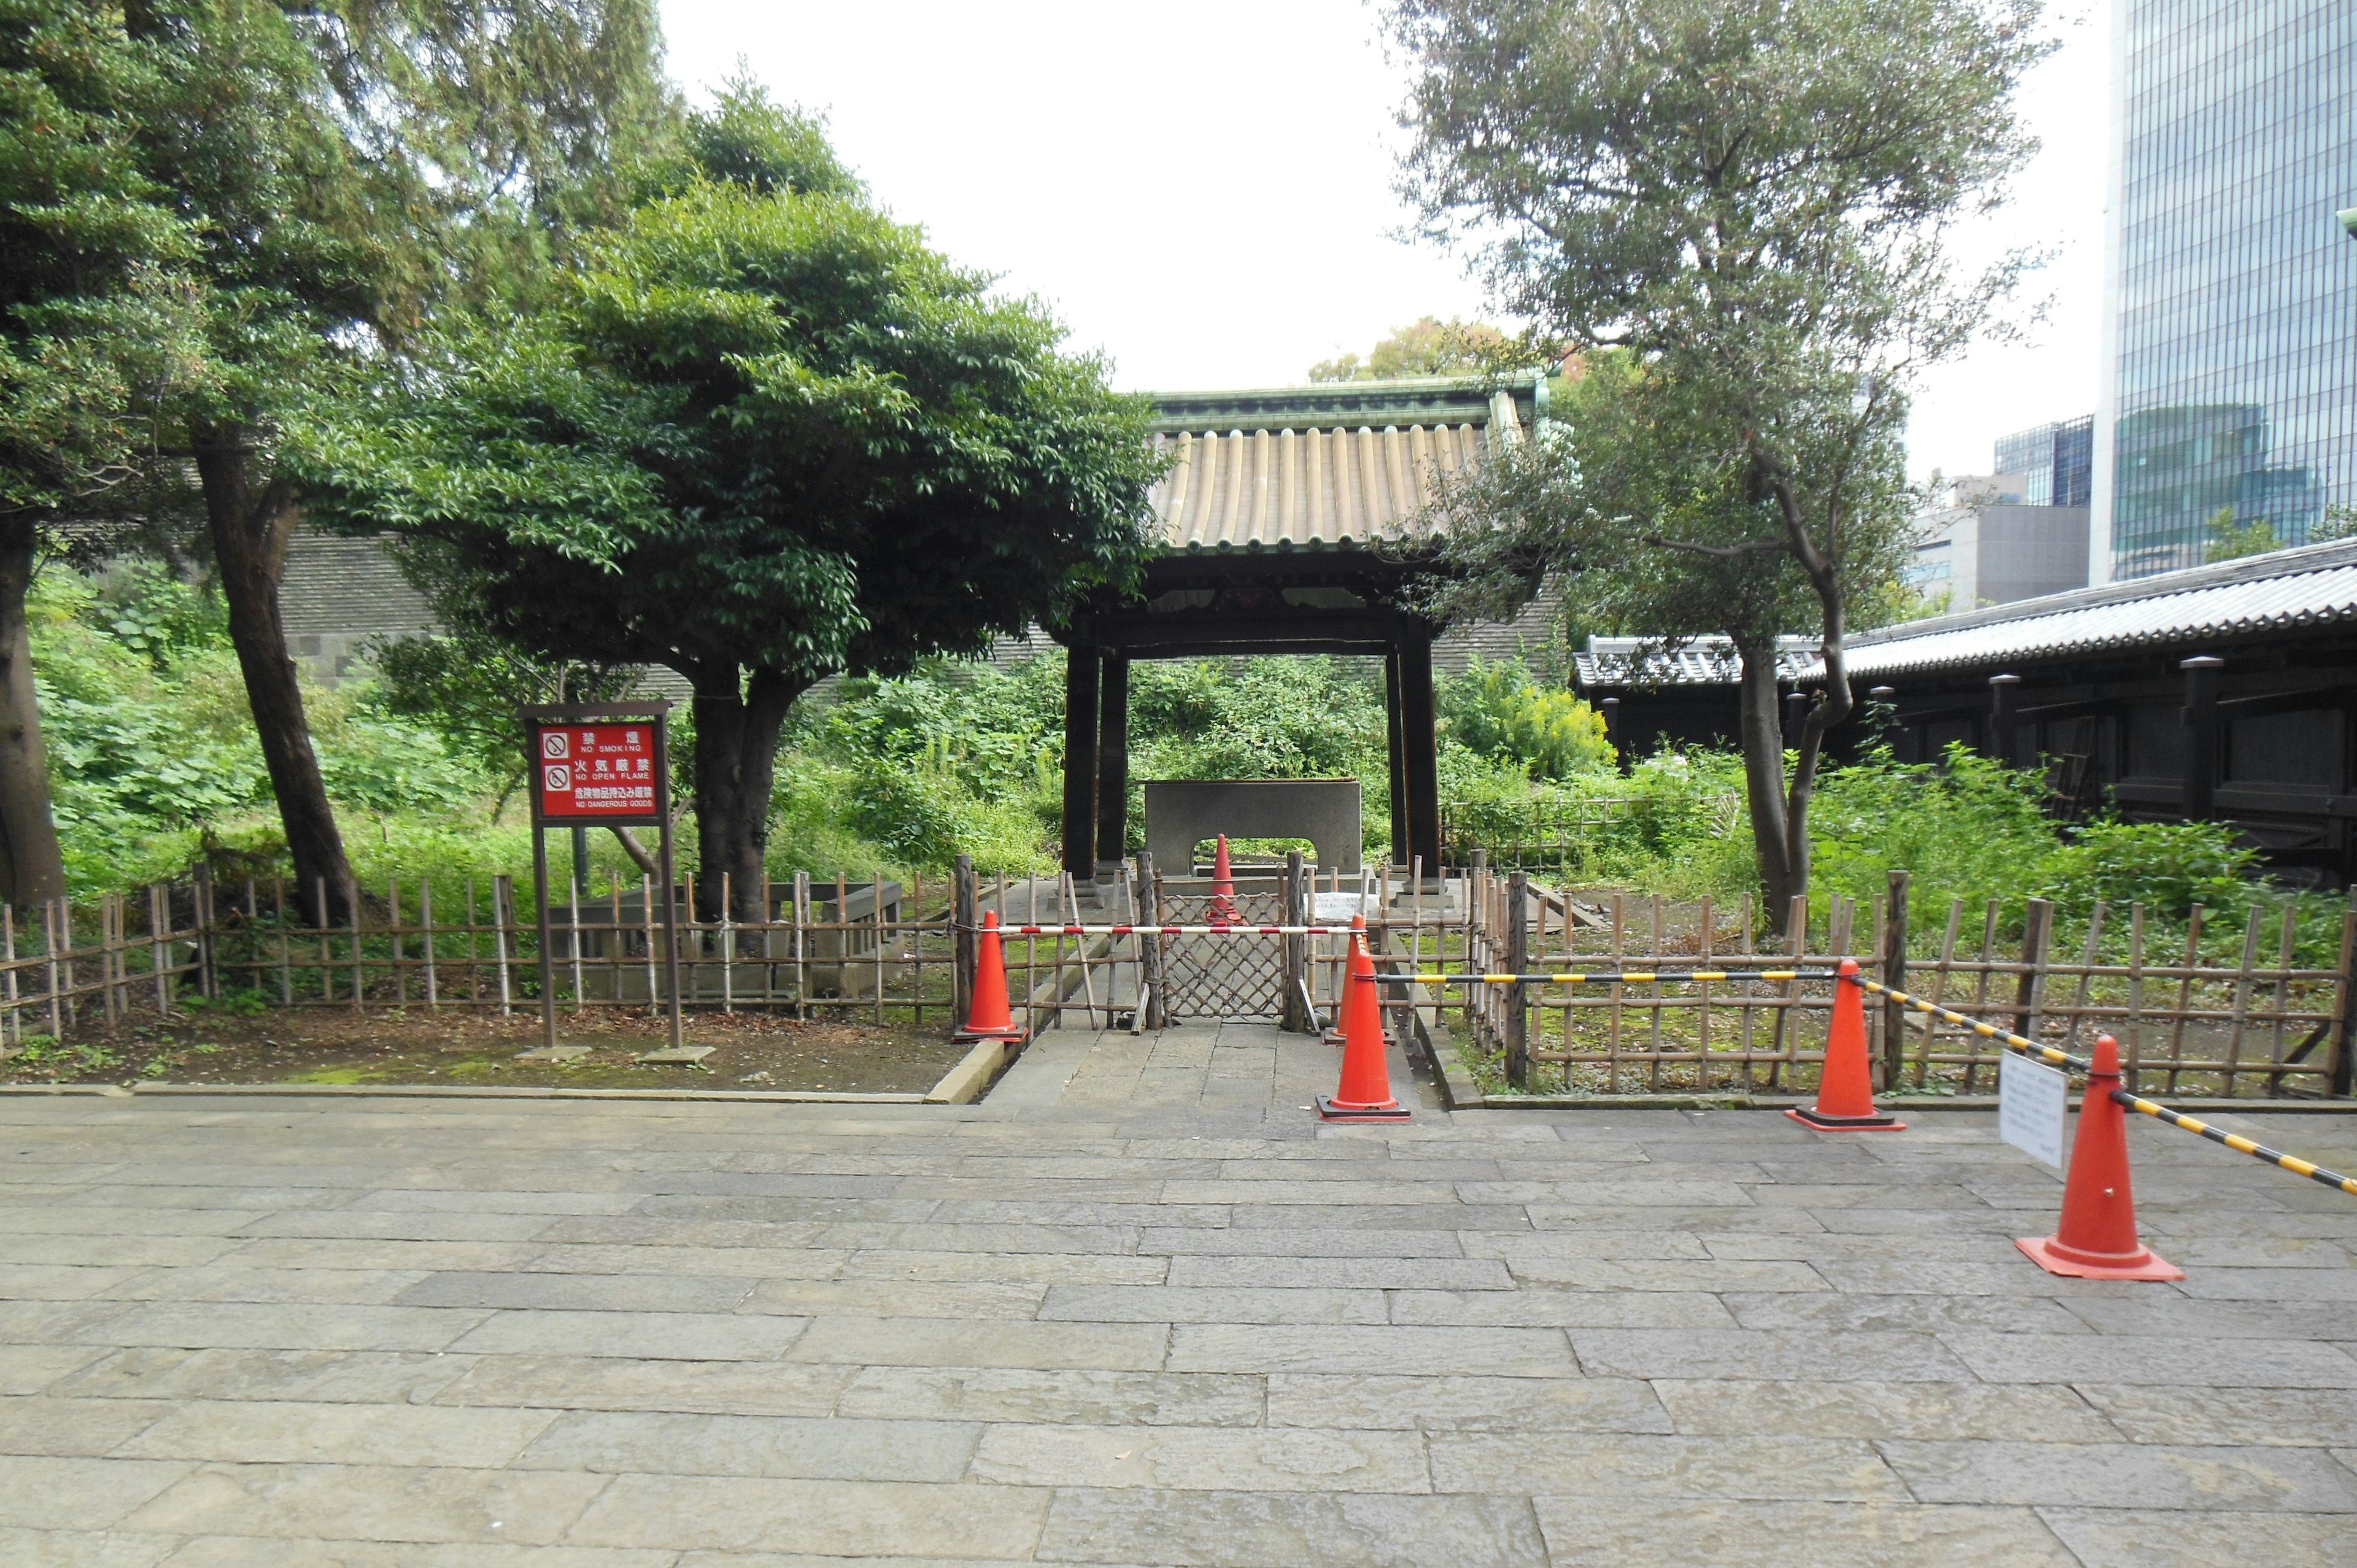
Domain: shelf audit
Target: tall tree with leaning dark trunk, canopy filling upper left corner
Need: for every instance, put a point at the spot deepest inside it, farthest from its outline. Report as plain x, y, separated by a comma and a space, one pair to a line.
220, 209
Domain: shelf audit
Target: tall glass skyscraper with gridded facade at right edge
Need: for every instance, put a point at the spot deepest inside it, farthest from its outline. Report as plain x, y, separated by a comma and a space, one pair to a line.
2231, 317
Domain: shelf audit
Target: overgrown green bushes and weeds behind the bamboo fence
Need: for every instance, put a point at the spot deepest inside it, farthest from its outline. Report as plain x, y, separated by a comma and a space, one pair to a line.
154, 767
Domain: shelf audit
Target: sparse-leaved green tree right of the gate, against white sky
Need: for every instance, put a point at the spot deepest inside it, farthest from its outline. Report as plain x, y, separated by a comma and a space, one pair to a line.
1750, 199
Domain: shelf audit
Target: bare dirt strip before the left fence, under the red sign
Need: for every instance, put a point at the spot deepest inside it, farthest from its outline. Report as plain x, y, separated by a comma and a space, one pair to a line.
463, 1048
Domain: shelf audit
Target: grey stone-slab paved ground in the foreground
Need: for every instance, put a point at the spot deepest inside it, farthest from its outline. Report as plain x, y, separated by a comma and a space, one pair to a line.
1140, 1310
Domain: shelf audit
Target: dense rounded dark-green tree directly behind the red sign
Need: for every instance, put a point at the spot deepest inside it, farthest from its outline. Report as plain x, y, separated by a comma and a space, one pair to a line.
765, 435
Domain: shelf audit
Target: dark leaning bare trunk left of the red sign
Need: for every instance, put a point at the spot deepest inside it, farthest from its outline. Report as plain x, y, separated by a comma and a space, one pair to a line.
251, 548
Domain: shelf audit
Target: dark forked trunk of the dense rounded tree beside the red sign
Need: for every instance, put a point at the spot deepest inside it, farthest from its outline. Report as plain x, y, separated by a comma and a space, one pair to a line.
737, 767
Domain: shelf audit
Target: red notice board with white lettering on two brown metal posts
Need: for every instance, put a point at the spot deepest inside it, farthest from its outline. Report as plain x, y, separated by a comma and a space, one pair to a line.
600, 765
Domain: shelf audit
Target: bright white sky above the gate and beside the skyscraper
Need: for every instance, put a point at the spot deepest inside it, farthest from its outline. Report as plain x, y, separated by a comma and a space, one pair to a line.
1208, 192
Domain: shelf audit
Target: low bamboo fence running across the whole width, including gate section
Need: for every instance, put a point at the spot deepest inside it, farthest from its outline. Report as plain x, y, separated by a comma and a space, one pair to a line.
873, 951
